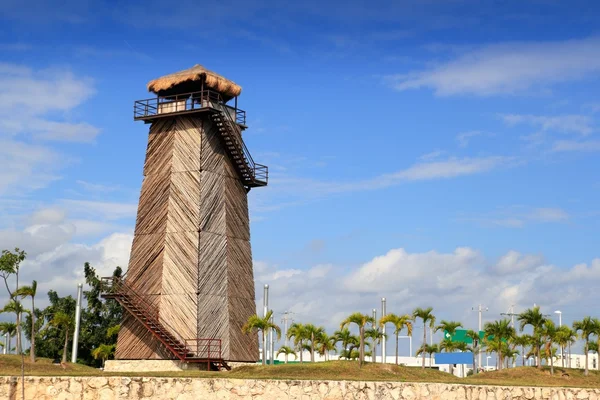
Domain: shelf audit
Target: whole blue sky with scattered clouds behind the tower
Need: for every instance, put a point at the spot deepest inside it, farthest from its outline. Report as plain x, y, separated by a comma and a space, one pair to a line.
437, 153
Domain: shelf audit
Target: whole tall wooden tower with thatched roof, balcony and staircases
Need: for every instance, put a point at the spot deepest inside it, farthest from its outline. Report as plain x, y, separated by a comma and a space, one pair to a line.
189, 287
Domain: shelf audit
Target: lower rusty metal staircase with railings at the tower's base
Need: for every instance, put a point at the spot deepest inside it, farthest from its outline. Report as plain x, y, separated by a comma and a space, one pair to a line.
187, 350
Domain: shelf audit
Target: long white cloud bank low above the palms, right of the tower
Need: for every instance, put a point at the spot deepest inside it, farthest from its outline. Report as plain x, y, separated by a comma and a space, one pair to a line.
451, 282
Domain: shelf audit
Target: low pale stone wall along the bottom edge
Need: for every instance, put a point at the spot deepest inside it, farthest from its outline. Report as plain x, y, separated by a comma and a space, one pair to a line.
112, 388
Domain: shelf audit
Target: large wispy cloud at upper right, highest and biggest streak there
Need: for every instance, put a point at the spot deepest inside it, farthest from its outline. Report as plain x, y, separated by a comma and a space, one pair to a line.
508, 68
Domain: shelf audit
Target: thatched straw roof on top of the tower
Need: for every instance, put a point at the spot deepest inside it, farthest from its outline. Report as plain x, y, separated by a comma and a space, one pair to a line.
189, 80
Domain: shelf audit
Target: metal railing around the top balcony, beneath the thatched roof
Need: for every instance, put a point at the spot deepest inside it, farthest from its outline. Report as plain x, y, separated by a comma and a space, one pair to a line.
185, 102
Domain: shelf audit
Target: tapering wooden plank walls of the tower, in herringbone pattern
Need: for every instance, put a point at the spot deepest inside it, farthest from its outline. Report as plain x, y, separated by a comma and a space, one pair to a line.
191, 252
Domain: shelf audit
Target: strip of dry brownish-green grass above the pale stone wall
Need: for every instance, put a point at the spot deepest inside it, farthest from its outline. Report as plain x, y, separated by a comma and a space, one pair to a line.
332, 370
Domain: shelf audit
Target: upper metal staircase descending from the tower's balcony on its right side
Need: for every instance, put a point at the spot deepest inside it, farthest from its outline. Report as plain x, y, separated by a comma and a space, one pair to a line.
251, 173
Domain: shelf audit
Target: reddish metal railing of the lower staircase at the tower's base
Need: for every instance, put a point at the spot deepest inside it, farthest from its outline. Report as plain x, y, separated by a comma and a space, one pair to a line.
204, 349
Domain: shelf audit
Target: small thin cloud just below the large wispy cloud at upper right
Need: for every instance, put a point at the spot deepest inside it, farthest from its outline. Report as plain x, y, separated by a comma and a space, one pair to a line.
580, 124
